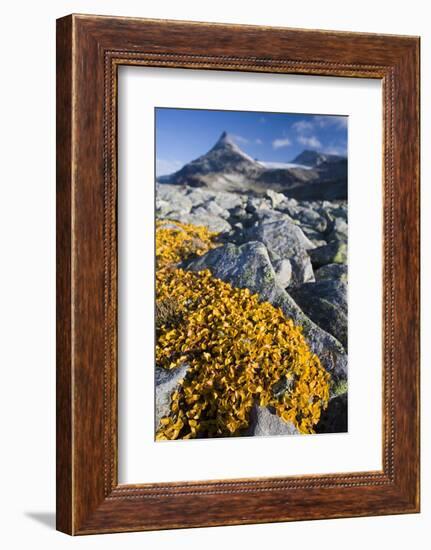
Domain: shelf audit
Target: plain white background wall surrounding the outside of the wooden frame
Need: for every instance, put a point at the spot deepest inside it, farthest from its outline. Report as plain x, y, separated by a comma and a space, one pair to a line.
28, 260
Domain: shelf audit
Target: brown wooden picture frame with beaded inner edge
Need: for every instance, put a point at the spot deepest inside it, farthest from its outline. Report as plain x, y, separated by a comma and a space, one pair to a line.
89, 51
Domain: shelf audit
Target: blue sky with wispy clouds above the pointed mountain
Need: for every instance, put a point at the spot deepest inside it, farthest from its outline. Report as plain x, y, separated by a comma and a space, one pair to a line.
184, 134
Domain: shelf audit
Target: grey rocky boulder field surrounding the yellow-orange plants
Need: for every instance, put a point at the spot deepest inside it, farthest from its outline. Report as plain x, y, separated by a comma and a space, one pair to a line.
293, 255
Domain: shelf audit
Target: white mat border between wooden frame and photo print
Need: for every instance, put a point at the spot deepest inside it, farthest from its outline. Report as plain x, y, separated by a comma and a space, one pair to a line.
141, 458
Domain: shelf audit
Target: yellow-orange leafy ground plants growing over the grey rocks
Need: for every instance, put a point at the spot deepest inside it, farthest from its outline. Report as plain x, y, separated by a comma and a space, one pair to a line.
238, 348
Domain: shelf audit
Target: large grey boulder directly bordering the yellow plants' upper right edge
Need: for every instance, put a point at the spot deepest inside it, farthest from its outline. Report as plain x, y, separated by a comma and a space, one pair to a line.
249, 266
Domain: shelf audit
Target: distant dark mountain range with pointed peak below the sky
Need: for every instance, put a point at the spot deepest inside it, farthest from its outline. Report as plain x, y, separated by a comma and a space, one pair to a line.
226, 167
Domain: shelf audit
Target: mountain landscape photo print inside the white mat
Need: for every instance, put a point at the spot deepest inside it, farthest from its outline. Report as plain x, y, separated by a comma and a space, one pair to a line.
251, 274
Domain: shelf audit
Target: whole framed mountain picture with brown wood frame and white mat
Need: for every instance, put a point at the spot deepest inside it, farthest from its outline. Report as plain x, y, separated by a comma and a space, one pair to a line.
237, 274
